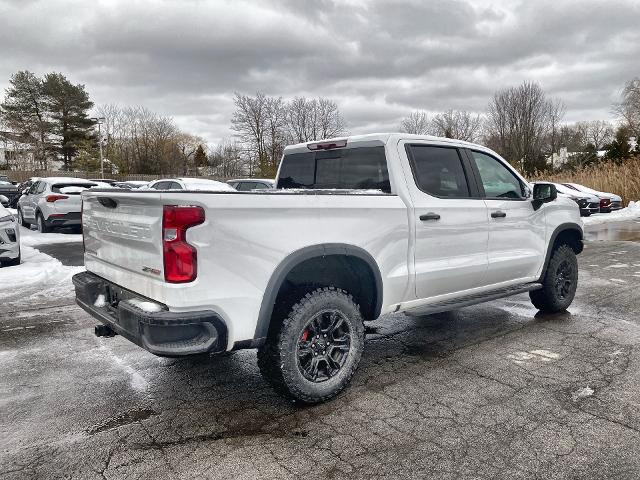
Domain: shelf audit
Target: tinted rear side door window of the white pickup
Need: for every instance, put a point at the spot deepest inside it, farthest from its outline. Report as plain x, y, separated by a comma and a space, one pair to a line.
438, 171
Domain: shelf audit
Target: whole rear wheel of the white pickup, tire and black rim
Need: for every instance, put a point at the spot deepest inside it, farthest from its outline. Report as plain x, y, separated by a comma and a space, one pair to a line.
313, 353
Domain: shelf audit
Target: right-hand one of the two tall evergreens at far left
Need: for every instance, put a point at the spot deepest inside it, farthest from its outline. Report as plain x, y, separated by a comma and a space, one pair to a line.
68, 106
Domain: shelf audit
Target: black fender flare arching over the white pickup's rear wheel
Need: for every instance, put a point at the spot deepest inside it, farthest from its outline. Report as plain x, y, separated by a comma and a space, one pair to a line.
290, 262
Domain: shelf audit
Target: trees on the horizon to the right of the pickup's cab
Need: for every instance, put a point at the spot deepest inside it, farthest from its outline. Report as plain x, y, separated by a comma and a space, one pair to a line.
525, 126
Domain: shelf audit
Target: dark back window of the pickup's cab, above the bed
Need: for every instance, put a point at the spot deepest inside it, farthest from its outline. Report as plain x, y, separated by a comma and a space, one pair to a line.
345, 168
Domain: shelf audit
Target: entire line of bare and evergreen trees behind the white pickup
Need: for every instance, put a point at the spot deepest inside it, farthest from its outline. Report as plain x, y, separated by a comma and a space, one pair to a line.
52, 117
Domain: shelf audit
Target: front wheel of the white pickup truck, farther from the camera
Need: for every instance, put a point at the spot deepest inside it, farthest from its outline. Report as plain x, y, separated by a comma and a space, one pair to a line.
560, 282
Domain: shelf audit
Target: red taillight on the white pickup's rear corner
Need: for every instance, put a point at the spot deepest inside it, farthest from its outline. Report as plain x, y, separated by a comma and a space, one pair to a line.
180, 258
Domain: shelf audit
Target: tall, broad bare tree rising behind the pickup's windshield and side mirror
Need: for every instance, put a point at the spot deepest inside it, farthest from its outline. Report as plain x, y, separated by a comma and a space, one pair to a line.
520, 121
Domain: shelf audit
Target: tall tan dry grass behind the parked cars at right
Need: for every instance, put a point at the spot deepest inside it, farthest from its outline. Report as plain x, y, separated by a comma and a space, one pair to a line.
623, 180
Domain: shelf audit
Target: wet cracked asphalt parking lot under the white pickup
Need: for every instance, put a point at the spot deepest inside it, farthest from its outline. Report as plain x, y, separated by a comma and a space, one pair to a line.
489, 391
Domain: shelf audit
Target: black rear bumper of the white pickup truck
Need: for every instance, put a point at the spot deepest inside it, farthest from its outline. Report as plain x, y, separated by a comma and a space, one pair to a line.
163, 333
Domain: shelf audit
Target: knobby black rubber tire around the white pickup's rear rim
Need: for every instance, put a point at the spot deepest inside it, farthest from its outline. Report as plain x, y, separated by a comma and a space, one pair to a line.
278, 358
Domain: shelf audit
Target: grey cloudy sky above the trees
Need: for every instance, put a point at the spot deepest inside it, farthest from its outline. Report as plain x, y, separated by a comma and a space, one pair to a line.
377, 59
